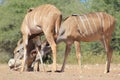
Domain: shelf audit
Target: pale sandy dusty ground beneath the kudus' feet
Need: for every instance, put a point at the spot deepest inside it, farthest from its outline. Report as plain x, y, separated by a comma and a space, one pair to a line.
90, 72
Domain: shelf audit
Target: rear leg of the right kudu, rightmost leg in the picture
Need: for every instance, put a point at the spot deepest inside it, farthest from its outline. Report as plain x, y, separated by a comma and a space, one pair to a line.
106, 43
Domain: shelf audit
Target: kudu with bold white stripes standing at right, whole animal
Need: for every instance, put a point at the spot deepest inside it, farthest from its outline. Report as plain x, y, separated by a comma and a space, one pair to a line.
97, 26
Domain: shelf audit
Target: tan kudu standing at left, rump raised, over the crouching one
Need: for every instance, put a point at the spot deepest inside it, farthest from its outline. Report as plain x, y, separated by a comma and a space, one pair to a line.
43, 19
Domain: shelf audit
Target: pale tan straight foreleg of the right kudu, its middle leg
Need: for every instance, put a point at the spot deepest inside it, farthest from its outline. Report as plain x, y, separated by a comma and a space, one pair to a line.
78, 54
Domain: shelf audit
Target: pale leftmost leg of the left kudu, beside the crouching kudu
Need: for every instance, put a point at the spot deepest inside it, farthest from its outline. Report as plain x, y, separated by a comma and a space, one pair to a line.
25, 41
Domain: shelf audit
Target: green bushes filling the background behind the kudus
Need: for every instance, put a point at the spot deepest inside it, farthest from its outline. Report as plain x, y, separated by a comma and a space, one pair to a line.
13, 11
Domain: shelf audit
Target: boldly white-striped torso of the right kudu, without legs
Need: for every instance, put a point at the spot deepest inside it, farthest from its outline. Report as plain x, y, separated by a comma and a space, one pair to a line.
88, 27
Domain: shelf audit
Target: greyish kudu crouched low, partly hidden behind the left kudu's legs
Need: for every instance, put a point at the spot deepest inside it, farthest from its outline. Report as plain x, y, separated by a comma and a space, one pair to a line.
15, 63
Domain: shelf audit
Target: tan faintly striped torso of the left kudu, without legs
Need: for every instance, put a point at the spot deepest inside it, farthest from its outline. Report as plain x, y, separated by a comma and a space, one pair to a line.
38, 19
